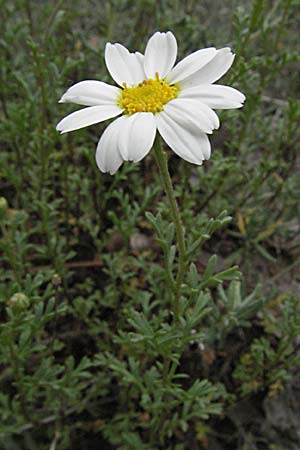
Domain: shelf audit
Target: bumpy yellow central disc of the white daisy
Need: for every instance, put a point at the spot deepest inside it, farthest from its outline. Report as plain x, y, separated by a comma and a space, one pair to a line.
148, 96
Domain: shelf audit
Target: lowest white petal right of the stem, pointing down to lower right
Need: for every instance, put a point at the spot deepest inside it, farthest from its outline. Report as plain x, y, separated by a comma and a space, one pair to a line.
193, 146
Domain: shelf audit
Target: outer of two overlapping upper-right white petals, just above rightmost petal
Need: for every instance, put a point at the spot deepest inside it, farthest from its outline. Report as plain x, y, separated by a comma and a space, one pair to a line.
212, 71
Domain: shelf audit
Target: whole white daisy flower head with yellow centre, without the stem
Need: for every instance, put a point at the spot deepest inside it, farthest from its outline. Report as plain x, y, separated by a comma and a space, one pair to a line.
153, 94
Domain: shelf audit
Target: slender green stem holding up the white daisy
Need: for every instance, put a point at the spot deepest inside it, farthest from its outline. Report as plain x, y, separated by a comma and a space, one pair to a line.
162, 162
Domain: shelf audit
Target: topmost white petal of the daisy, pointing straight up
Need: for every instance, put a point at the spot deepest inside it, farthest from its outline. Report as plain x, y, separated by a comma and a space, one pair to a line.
160, 54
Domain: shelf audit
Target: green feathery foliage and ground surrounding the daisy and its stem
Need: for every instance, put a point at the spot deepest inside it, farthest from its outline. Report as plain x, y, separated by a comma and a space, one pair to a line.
89, 355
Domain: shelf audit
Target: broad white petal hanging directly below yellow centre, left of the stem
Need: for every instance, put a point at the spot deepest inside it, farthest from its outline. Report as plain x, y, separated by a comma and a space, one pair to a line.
137, 136
